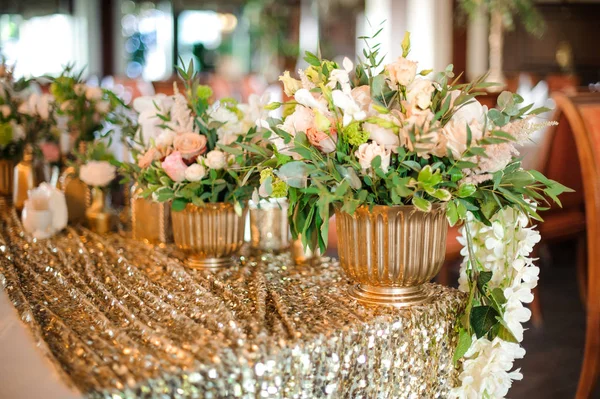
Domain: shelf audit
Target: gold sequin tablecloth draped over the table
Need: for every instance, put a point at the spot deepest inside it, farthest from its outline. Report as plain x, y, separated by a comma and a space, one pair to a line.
121, 319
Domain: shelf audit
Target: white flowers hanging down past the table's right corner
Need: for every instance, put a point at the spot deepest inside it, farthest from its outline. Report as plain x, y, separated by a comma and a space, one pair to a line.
503, 249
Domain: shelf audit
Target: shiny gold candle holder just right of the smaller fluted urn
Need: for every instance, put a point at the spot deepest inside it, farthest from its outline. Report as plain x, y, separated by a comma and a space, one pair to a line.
269, 226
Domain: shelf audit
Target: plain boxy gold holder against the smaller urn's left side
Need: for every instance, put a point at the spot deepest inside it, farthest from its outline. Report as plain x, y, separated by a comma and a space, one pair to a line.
150, 220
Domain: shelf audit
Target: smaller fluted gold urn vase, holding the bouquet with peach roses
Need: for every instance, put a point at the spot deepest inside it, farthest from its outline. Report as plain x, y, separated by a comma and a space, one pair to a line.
209, 235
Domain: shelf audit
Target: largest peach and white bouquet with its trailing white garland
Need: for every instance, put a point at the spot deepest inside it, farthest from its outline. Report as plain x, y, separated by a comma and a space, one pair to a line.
375, 134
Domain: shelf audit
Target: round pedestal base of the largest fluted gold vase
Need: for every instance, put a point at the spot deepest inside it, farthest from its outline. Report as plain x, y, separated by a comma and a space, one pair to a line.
399, 297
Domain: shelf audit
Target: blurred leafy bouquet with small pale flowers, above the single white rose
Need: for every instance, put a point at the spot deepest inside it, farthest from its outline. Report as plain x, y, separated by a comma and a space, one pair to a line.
86, 108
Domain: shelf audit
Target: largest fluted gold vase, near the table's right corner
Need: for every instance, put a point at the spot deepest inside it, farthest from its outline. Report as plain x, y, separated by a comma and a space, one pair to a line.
391, 251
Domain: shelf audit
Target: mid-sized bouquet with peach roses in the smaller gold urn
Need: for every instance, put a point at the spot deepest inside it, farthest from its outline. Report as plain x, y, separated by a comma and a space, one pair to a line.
195, 151
